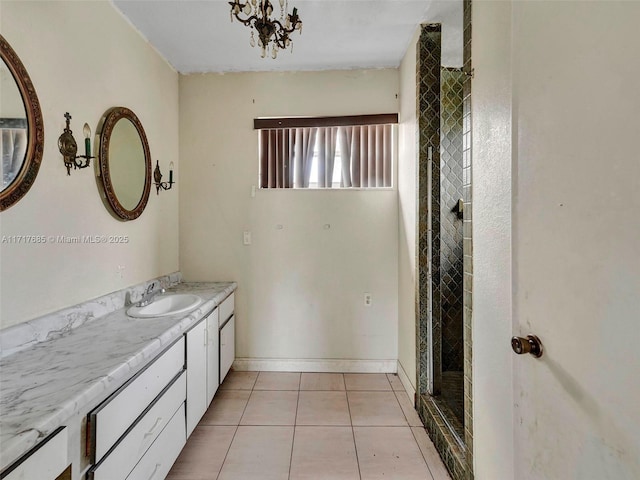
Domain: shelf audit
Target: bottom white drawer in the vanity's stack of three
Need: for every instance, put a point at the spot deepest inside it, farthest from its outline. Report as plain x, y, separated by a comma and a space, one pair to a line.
159, 459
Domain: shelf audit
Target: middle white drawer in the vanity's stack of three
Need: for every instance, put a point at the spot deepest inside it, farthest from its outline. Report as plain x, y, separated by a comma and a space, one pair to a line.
123, 458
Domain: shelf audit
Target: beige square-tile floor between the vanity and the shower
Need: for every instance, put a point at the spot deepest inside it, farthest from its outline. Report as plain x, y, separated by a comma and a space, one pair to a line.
316, 426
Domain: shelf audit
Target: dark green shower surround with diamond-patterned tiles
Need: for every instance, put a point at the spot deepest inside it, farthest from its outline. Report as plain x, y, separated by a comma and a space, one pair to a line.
439, 329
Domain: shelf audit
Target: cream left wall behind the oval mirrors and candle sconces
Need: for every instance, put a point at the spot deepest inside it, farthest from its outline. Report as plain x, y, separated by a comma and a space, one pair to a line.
84, 59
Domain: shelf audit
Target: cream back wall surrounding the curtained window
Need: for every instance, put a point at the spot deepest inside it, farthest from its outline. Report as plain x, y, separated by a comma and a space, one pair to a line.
301, 286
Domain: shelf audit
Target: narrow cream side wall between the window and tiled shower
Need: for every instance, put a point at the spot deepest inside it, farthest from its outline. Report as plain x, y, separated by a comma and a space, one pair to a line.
407, 209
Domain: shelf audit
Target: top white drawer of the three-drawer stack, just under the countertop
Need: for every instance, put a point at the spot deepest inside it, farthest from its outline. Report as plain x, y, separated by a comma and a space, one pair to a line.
110, 421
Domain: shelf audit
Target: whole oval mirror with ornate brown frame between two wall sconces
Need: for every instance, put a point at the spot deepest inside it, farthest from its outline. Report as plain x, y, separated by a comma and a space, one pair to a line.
124, 163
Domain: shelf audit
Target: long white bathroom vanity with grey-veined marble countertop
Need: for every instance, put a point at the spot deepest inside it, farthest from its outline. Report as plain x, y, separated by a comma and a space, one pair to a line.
115, 397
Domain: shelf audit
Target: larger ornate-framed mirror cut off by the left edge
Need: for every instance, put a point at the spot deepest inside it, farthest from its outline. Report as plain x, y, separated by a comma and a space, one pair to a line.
21, 128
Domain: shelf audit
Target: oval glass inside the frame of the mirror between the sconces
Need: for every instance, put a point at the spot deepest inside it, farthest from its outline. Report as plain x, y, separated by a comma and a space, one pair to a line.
127, 164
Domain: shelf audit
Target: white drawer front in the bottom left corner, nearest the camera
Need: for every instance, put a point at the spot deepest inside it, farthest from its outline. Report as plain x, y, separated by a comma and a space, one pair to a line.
47, 461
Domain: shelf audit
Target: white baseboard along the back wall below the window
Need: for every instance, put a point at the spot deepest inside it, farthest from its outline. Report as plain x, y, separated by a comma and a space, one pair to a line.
315, 365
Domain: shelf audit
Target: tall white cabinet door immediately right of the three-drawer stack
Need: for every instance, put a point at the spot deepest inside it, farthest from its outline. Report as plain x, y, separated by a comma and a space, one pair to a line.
196, 374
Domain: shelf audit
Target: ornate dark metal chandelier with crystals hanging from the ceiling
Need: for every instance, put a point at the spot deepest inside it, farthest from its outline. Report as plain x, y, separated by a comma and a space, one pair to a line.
258, 18
